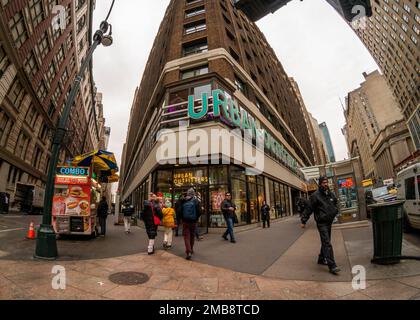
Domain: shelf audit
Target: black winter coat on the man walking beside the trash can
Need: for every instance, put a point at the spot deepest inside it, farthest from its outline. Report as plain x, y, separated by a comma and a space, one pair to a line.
324, 207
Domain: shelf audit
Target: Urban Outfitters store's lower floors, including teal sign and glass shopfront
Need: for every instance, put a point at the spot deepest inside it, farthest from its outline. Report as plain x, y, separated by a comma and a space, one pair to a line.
280, 183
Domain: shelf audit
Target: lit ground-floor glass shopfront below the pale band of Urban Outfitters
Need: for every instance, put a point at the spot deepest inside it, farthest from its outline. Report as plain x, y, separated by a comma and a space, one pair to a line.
213, 181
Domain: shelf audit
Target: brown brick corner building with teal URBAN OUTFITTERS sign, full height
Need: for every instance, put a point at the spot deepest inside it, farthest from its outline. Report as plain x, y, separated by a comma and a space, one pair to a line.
208, 55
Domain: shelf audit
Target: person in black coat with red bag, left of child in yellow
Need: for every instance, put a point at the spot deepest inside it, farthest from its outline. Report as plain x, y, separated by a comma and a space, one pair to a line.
151, 216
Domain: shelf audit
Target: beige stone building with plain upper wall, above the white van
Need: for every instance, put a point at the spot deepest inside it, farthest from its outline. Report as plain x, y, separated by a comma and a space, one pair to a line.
375, 128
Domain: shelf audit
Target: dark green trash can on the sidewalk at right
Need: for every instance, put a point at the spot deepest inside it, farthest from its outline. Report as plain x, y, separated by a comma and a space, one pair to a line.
387, 224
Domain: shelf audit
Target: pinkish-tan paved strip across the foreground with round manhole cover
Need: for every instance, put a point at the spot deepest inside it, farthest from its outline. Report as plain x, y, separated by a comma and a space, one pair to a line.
173, 278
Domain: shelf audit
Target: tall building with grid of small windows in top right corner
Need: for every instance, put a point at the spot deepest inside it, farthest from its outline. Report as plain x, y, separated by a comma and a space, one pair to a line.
392, 35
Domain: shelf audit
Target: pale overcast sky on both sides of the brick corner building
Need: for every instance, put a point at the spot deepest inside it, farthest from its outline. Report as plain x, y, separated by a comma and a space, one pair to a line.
310, 39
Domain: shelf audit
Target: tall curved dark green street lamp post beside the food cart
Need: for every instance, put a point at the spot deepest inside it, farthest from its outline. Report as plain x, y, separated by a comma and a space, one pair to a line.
46, 245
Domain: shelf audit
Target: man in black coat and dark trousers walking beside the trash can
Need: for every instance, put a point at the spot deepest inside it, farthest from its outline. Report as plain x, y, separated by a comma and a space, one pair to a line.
323, 204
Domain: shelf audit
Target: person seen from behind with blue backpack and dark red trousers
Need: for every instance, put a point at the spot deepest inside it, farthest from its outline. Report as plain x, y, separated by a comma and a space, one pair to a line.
191, 212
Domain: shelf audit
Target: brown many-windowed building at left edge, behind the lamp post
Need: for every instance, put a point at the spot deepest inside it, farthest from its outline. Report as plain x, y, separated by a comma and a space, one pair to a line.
39, 59
